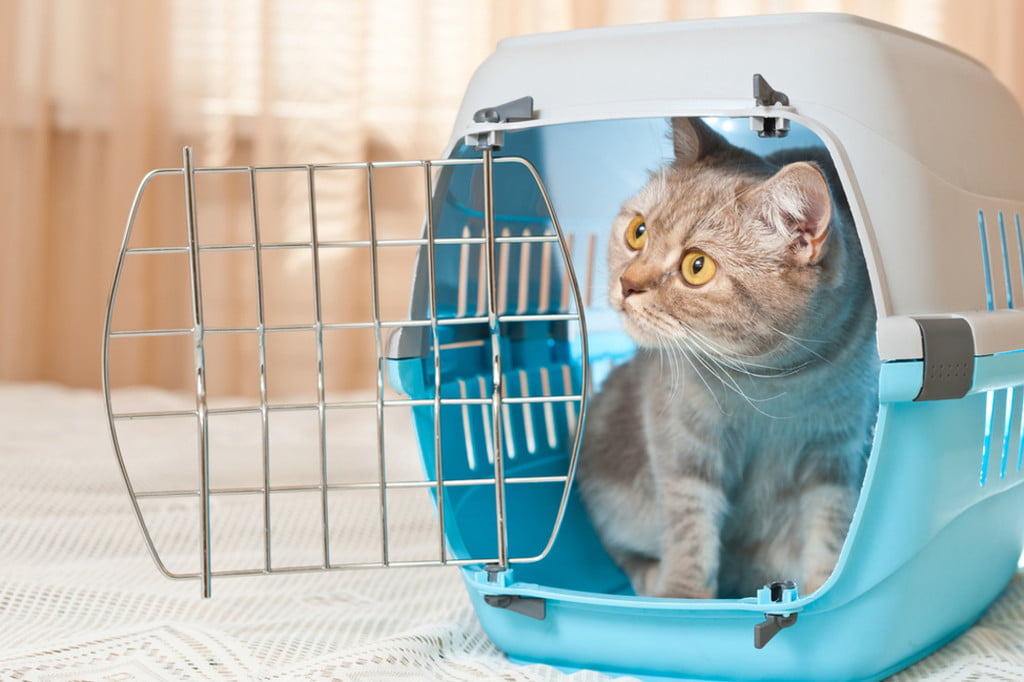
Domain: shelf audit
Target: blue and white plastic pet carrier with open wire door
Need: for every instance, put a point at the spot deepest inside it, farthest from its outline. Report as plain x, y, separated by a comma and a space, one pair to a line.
496, 359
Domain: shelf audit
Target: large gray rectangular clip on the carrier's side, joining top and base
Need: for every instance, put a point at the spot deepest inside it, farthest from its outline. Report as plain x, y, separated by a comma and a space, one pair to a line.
949, 358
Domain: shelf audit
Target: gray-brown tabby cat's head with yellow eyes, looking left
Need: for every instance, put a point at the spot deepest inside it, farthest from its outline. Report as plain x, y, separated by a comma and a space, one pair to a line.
719, 253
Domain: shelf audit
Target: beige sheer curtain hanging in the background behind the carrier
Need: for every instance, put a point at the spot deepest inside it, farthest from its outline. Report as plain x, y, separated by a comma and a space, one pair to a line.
95, 94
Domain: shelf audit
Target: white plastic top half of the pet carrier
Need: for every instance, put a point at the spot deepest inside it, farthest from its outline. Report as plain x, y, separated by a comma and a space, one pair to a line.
928, 144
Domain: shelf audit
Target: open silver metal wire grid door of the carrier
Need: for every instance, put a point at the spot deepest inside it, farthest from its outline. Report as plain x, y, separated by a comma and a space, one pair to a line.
199, 329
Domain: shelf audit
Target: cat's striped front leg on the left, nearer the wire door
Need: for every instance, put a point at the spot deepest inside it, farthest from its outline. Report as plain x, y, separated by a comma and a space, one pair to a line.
693, 510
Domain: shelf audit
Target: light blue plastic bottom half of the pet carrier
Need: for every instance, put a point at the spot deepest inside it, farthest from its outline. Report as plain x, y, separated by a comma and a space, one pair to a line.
930, 548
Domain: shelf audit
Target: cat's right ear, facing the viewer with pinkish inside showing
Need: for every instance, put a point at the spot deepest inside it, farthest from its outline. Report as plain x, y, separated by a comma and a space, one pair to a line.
796, 202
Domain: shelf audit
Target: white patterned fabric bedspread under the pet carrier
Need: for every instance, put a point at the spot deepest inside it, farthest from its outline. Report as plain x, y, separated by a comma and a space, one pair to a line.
80, 599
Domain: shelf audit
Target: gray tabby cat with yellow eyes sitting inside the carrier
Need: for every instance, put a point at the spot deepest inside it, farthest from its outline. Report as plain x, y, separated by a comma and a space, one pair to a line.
731, 450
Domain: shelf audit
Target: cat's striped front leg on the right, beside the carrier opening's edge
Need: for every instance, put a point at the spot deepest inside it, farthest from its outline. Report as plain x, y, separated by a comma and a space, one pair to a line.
827, 510
